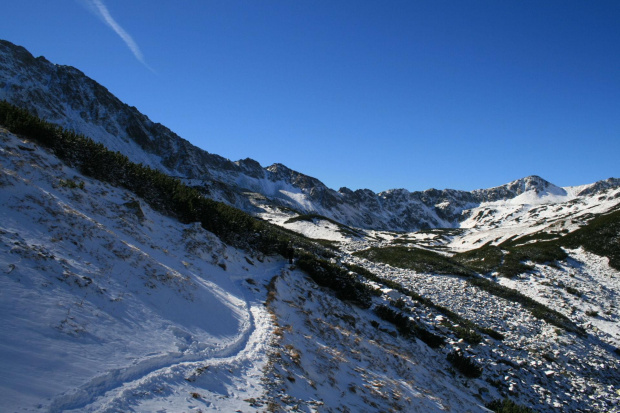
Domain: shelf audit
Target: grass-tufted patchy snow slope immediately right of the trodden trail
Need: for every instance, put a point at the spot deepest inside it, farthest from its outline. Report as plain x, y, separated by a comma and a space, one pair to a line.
332, 358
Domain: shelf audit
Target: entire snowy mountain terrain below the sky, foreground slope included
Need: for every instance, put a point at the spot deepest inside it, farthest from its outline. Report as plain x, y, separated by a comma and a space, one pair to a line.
117, 299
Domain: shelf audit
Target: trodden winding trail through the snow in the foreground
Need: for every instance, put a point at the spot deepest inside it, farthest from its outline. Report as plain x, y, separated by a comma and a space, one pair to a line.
239, 365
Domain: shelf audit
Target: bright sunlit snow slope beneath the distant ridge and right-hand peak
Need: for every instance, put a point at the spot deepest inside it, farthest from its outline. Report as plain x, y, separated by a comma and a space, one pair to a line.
555, 212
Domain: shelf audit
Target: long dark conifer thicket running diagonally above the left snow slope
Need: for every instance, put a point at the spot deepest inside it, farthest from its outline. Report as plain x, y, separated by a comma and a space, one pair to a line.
170, 196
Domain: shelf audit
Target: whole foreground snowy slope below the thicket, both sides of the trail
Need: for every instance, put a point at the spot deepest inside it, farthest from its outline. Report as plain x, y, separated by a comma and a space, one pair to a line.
109, 306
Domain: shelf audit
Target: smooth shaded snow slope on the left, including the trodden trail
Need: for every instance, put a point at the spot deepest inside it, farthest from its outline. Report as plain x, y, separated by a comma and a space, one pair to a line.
109, 306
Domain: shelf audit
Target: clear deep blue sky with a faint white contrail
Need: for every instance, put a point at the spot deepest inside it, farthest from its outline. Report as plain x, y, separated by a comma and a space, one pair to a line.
364, 94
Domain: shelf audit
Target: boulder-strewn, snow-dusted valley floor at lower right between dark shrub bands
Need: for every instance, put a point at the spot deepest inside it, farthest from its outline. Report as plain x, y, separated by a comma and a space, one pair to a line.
536, 364
